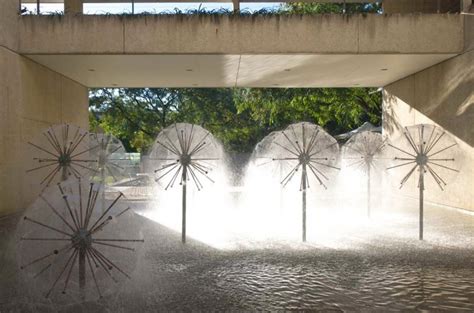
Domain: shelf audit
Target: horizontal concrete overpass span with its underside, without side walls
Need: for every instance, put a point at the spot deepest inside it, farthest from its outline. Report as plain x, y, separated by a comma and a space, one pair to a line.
240, 51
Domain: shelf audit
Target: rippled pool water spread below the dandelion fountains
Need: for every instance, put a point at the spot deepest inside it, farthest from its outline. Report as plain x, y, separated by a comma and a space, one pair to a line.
367, 274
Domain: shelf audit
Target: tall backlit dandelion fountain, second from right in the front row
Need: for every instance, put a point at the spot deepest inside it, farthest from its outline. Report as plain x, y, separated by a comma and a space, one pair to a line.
309, 150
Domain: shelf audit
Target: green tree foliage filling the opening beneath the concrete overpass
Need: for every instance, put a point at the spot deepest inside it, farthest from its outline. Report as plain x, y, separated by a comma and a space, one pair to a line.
238, 117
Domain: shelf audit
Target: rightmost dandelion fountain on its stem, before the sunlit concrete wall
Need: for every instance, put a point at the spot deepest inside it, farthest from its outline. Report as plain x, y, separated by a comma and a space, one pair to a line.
426, 149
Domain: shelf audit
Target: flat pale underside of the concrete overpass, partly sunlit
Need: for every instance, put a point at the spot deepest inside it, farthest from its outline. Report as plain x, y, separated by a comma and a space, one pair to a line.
238, 70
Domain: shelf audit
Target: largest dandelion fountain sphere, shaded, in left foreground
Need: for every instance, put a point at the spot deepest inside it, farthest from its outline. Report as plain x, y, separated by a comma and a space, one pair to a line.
64, 232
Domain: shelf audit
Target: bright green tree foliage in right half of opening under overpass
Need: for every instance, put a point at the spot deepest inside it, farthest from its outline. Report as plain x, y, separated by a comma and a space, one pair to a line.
336, 109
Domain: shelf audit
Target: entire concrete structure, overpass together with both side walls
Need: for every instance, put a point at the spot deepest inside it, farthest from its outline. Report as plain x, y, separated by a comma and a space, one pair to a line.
425, 61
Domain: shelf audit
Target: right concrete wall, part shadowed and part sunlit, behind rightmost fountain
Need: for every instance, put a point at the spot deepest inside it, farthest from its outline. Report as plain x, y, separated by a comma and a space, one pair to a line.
443, 95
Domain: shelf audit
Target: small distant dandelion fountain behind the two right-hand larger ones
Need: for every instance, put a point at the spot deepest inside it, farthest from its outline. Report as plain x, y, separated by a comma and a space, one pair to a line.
363, 151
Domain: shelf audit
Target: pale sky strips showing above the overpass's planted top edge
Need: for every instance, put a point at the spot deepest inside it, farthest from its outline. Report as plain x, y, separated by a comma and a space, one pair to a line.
119, 8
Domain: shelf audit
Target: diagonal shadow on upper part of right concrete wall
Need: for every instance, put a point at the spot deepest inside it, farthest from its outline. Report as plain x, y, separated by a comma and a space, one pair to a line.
443, 93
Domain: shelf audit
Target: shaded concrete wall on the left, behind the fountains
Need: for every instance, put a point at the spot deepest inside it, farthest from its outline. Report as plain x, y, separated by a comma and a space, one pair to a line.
32, 97
